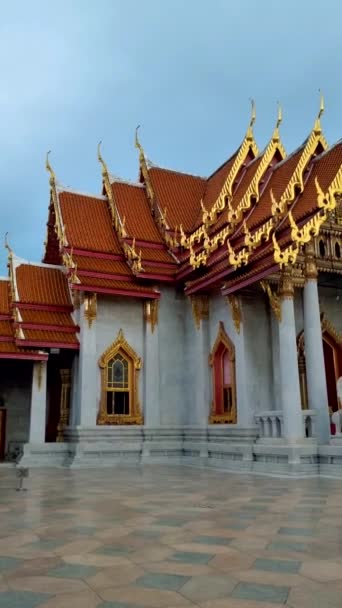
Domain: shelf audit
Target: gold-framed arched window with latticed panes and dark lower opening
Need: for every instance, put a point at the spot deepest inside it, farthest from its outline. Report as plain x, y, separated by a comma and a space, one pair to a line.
119, 395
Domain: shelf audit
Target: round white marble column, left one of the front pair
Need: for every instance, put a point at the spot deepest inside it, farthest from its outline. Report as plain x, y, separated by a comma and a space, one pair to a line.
289, 375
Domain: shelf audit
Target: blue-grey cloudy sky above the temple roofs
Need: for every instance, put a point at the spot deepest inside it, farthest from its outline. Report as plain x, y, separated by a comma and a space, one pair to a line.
77, 71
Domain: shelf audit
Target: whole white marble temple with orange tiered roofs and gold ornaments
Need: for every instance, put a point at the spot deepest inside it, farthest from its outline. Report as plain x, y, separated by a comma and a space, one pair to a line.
183, 319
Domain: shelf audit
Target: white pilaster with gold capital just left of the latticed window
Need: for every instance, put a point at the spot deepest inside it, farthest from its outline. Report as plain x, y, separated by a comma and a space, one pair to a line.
88, 364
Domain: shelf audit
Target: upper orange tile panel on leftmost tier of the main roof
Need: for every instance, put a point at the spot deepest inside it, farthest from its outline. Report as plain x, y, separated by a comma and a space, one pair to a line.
87, 222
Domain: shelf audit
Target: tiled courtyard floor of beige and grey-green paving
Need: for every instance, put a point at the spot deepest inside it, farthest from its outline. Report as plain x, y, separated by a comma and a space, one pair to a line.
168, 537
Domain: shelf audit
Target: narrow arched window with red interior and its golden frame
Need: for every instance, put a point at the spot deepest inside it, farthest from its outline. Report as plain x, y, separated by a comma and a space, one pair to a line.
222, 361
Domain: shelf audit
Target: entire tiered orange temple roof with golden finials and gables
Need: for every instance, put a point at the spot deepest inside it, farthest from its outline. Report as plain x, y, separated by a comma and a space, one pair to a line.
242, 223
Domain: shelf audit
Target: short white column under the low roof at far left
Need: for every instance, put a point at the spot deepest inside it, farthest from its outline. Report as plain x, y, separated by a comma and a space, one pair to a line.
38, 403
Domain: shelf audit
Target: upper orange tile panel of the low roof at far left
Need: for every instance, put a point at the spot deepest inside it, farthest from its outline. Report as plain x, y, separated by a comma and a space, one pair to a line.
42, 285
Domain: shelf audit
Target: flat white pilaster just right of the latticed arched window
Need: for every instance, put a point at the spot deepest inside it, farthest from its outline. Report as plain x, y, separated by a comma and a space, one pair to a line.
151, 365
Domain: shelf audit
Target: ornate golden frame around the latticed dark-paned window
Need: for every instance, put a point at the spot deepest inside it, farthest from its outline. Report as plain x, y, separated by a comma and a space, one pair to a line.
121, 346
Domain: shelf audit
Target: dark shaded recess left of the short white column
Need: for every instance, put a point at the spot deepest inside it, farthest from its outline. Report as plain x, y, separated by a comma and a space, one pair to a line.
15, 390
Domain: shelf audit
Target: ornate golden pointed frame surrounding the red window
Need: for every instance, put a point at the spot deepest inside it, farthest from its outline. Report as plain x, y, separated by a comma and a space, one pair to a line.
223, 338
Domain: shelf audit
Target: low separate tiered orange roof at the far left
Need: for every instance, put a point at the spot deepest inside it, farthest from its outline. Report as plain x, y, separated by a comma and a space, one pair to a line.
35, 311
